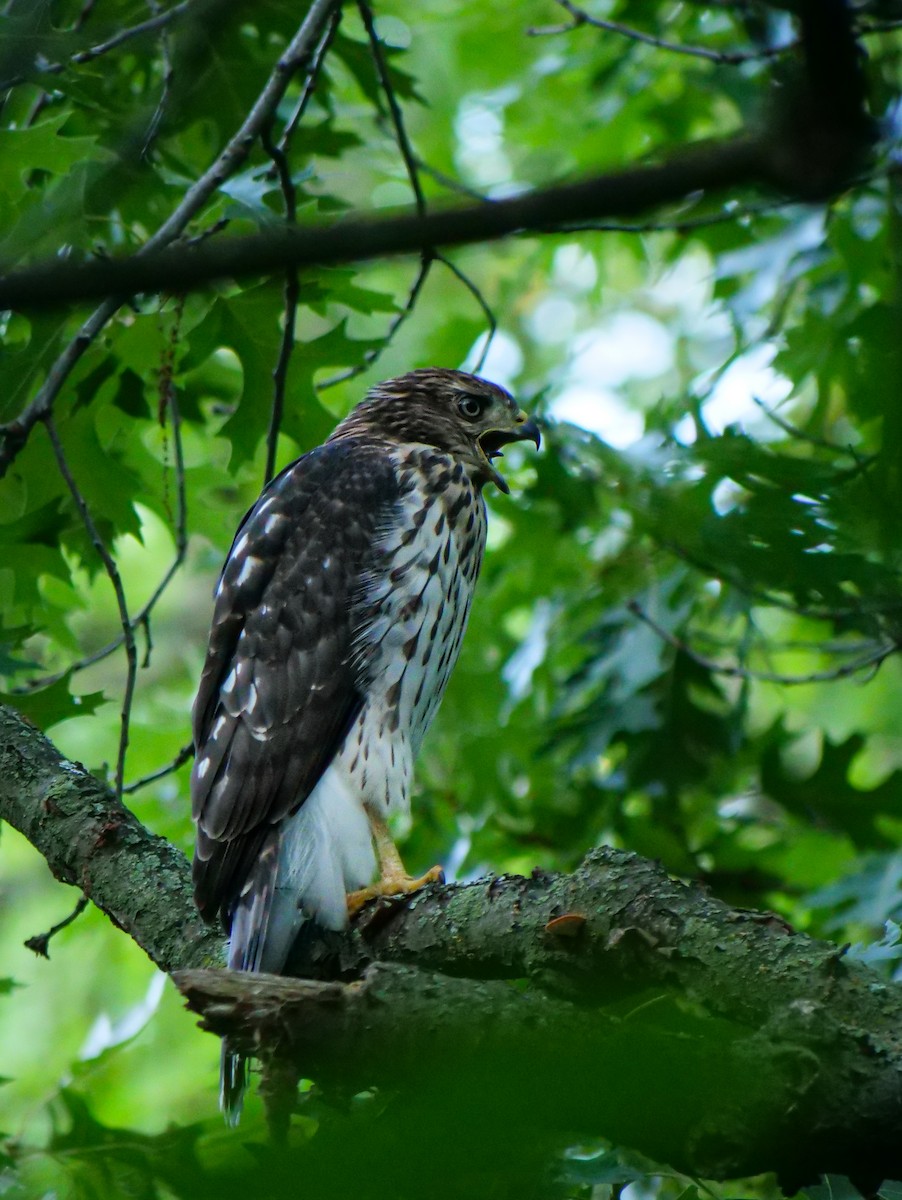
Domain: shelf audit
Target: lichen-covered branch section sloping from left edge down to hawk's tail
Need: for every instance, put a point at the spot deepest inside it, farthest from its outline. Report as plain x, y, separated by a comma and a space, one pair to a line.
93, 842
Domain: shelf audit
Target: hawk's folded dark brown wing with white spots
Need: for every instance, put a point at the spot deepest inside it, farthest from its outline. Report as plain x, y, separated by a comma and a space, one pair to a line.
280, 688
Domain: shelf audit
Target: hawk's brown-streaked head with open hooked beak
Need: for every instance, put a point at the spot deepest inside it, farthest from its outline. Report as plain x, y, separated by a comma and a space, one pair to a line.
460, 413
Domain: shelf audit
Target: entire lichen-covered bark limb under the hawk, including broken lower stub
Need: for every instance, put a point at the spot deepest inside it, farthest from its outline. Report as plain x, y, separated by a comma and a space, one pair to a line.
614, 1000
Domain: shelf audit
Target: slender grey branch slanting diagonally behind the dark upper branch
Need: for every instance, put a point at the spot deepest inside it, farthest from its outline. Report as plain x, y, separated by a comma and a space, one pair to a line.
230, 160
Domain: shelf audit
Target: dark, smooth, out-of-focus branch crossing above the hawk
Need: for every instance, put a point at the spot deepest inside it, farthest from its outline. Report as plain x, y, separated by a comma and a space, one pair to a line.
810, 149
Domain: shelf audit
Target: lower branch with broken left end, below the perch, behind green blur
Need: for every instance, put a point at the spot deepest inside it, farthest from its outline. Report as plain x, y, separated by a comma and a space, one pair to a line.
474, 1051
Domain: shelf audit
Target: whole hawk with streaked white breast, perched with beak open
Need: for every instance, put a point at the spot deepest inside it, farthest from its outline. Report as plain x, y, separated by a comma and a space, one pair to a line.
339, 619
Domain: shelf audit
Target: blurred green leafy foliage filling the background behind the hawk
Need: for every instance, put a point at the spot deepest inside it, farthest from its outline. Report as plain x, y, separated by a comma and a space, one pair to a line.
685, 633
